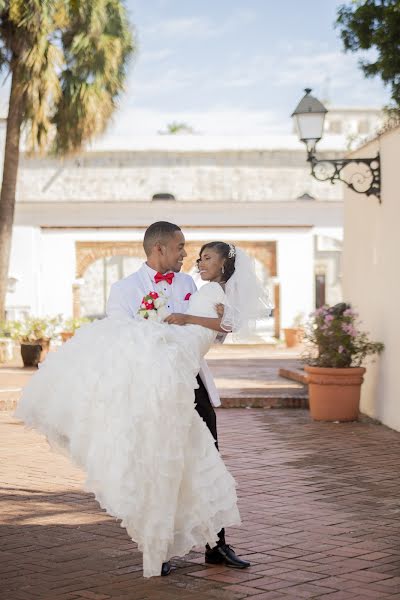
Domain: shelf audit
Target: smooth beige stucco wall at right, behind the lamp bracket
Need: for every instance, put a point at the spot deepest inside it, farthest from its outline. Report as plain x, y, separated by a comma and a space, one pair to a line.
371, 276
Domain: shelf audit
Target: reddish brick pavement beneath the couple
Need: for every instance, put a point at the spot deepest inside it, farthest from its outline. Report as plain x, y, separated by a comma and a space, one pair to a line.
319, 503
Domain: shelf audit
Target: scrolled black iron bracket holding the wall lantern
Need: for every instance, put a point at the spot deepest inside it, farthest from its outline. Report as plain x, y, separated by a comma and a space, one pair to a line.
365, 178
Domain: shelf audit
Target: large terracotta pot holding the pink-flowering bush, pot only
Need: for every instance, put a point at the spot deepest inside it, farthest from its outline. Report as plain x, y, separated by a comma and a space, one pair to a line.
334, 394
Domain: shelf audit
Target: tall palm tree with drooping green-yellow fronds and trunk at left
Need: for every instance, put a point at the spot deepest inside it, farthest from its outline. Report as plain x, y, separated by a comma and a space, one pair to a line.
67, 63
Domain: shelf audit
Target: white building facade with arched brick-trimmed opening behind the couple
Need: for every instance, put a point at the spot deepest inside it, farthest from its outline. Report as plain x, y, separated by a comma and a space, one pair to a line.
80, 221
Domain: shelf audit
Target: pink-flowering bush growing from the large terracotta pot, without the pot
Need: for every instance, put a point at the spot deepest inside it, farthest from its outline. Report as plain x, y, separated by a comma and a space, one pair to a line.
334, 339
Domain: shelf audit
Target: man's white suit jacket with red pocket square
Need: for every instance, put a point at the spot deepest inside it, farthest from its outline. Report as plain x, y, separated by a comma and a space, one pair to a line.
126, 296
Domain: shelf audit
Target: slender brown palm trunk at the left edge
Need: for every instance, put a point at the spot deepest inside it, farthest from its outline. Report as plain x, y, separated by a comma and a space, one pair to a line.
8, 188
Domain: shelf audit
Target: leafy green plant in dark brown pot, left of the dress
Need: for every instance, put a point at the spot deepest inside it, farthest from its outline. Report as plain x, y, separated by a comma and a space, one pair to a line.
35, 334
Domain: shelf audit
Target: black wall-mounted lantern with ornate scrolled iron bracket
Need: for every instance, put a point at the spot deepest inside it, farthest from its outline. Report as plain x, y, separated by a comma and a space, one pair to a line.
364, 174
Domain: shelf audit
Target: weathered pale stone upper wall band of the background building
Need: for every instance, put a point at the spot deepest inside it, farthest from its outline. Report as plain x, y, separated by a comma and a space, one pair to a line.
222, 176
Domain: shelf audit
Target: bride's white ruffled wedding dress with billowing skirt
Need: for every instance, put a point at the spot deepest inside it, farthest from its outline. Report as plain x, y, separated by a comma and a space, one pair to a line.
119, 399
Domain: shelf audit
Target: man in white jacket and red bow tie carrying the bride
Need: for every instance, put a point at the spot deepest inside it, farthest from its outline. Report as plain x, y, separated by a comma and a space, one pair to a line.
164, 245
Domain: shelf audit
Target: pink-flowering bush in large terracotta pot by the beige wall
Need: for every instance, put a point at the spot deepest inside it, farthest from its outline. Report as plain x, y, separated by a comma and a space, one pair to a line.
337, 349
